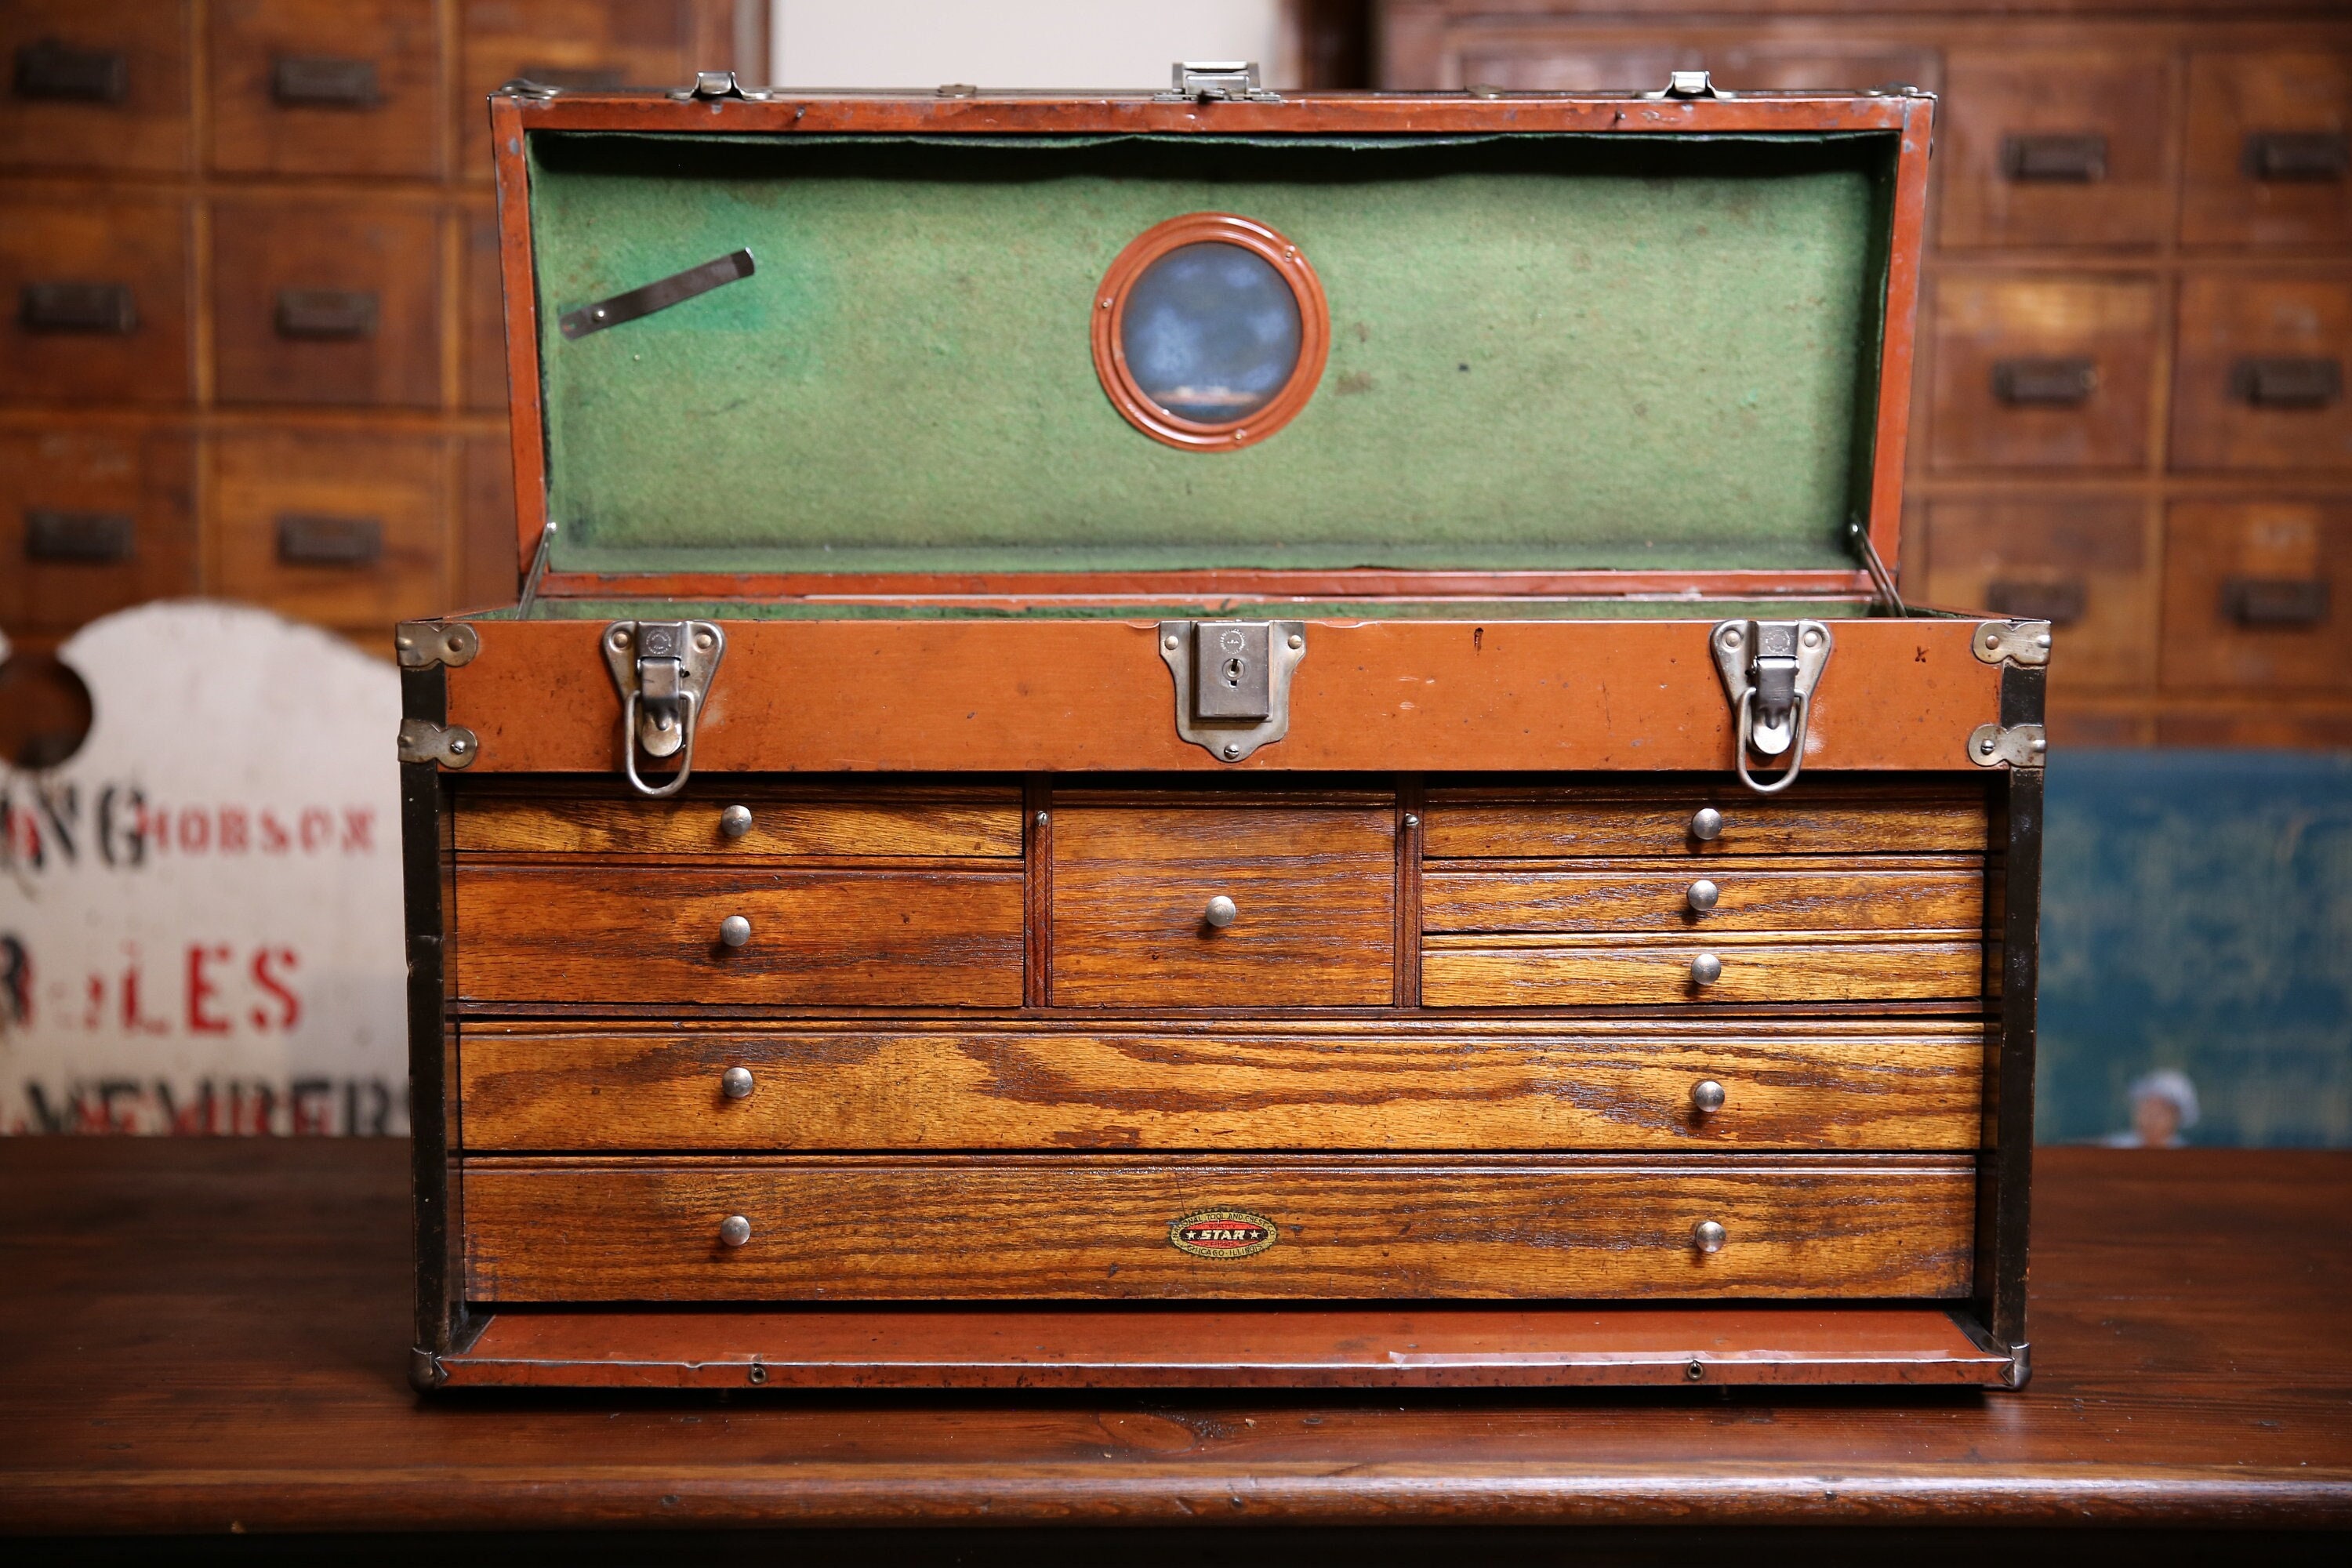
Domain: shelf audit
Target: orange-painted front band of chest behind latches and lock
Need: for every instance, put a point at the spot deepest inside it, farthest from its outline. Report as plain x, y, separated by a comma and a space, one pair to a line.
1074, 697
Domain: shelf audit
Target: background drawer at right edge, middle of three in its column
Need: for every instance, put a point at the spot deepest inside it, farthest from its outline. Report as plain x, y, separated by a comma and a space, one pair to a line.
2264, 373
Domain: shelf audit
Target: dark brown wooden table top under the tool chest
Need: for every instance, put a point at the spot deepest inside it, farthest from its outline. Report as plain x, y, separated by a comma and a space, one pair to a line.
199, 1336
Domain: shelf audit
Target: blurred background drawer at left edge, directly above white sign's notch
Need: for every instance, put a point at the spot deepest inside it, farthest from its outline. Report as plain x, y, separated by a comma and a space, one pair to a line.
93, 521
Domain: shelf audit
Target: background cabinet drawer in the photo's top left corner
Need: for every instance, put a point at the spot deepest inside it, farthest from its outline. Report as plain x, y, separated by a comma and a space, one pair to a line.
95, 86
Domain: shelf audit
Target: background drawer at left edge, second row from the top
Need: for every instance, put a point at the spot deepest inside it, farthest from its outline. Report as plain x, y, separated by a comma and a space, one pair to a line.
95, 300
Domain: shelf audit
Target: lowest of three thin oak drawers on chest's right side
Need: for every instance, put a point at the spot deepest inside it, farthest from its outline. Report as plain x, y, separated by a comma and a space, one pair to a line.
1633, 972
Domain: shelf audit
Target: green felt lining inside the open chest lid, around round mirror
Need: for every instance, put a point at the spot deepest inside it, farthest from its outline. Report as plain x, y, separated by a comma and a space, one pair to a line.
1549, 354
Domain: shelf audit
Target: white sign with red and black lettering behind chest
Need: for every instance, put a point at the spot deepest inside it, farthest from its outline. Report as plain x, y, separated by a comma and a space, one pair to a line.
201, 909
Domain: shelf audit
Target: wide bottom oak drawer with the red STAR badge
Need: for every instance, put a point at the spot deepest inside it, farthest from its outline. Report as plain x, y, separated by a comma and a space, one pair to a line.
996, 1228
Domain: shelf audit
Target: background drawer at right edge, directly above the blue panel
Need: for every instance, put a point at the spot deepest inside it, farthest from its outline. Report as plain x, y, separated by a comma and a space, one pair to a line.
2259, 596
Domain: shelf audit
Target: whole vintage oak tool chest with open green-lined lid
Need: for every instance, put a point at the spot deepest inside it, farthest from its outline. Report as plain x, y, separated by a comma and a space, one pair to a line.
1215, 737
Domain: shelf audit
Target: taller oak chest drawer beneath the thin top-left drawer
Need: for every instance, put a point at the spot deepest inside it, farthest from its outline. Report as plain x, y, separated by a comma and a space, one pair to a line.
817, 937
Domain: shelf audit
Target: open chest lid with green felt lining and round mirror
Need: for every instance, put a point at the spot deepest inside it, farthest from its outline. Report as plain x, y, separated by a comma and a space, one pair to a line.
867, 347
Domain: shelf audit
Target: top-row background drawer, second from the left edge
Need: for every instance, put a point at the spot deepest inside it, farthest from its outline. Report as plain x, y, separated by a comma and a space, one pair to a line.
349, 88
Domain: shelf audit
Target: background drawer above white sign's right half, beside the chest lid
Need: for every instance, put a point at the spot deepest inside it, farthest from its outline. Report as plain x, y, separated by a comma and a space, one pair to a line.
342, 530
